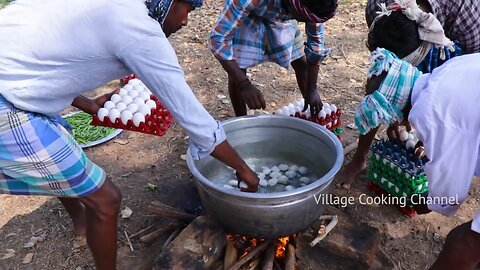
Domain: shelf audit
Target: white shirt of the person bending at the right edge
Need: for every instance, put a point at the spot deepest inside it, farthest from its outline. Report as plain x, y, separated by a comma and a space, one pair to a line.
446, 116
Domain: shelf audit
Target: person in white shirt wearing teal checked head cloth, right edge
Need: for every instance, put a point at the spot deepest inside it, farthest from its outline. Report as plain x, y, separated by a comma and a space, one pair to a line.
447, 122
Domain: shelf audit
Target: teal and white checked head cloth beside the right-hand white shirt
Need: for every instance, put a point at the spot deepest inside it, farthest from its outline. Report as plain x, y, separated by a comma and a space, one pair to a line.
385, 105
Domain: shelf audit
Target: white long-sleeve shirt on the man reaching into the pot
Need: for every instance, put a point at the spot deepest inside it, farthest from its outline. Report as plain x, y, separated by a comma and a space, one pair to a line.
51, 51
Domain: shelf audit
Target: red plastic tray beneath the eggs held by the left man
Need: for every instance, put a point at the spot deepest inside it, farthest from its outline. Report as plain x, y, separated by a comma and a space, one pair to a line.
156, 123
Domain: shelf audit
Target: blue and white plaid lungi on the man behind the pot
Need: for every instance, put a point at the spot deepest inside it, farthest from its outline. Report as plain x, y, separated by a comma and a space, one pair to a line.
279, 42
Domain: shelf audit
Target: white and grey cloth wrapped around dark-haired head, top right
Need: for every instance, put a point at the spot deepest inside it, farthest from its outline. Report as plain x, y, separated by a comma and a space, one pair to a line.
430, 29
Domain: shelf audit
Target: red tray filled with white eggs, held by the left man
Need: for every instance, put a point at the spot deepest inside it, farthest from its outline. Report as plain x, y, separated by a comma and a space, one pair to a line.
134, 108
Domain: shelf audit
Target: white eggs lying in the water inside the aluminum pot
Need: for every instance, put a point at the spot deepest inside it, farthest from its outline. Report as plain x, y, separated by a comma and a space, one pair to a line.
282, 177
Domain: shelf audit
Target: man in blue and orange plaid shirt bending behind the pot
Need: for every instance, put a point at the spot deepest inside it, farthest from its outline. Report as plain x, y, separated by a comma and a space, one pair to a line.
249, 32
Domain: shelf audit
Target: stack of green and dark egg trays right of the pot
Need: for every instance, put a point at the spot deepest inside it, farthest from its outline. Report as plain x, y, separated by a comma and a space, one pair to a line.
394, 167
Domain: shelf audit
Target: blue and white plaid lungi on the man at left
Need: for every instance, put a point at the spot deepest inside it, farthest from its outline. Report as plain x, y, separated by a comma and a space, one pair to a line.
39, 157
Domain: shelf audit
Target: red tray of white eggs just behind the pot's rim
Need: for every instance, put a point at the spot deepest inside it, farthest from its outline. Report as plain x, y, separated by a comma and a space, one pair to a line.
328, 117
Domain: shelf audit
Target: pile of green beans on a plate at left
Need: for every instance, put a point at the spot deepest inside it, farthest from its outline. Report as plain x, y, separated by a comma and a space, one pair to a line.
83, 132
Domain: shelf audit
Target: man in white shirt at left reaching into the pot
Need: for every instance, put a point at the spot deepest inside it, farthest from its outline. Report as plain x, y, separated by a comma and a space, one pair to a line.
51, 52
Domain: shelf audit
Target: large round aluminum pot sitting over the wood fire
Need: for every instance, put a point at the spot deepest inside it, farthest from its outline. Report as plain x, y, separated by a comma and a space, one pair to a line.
286, 139
